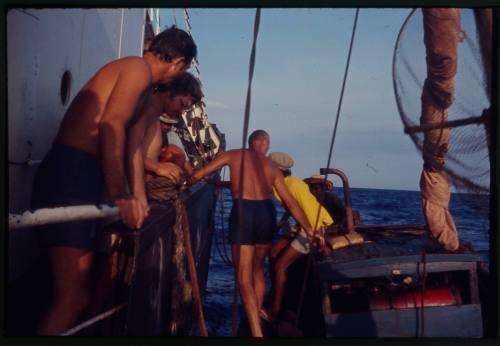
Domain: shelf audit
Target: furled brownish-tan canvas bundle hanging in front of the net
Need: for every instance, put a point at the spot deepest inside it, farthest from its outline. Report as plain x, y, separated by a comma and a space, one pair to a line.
441, 36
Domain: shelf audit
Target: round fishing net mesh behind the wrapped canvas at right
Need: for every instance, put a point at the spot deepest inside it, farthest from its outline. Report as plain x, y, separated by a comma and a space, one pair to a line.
467, 159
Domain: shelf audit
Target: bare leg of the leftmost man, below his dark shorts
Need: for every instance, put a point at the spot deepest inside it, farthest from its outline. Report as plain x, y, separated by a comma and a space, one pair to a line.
71, 280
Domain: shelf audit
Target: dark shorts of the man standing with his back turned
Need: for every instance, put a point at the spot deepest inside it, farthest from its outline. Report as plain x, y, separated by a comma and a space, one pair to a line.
258, 222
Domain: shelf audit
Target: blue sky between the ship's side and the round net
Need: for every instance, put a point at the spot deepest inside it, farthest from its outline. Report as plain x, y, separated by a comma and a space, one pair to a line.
301, 56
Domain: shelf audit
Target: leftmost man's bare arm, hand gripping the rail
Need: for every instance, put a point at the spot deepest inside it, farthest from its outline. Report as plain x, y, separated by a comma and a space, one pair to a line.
131, 85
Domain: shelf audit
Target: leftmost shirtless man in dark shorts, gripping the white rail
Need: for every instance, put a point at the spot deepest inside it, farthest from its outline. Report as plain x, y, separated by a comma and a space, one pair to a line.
87, 161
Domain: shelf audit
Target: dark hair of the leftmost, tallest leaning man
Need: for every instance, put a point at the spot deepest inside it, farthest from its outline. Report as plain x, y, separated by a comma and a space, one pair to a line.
172, 43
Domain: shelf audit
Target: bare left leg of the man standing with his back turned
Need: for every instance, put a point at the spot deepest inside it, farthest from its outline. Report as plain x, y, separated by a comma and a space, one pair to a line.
244, 278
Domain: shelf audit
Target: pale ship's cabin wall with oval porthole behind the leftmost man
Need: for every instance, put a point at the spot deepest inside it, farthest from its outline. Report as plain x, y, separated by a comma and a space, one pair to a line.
51, 53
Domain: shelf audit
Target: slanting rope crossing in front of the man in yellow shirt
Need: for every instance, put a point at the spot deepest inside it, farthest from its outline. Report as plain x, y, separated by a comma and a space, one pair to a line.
310, 255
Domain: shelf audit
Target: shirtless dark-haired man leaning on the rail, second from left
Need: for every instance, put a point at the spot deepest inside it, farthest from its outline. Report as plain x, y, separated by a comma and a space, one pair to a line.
145, 142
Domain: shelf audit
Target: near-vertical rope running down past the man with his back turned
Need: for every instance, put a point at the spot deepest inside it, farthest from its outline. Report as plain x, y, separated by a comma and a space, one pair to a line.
242, 164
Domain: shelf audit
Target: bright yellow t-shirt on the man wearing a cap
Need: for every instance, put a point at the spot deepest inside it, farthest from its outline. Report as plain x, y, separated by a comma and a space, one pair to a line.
306, 200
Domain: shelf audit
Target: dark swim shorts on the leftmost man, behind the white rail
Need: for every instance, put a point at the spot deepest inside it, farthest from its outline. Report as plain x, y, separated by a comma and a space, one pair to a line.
68, 176
